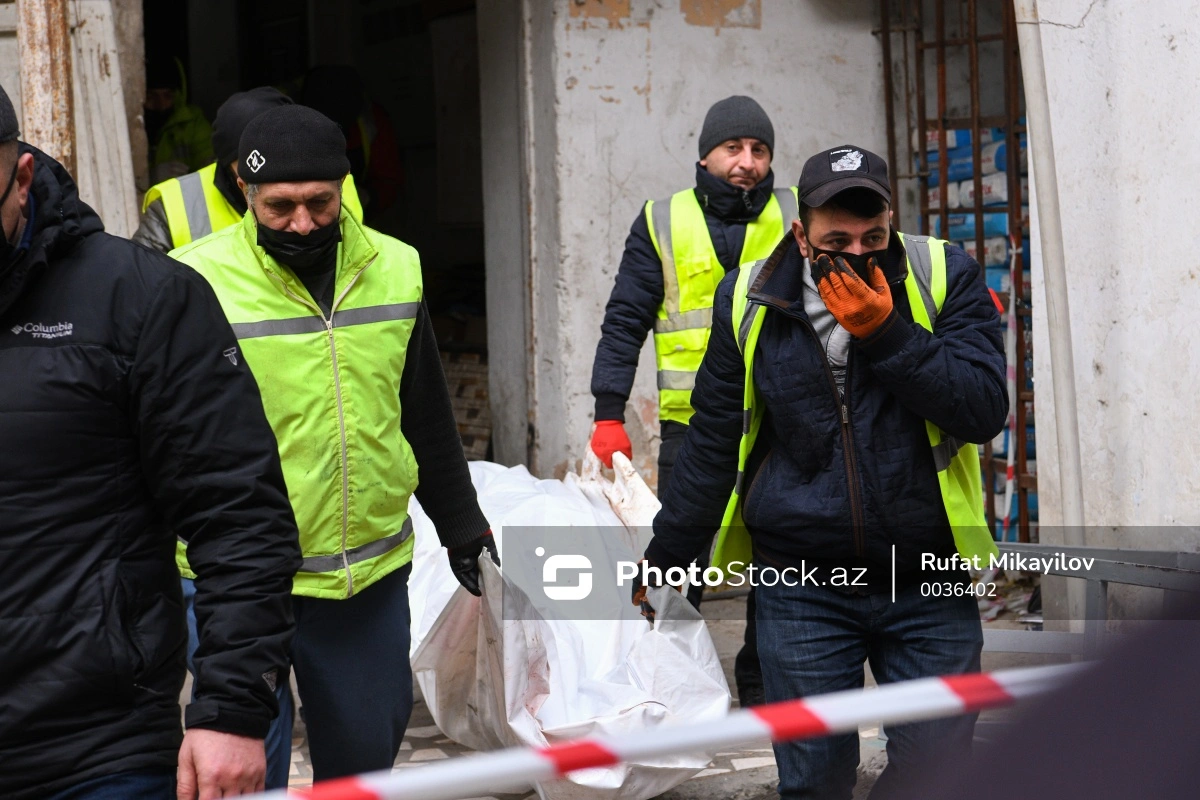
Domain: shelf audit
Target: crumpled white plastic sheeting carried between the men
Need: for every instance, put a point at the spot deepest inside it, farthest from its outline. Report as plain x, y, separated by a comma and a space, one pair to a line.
494, 679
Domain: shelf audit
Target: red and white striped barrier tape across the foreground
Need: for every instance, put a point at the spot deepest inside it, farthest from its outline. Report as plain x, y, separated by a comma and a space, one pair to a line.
819, 717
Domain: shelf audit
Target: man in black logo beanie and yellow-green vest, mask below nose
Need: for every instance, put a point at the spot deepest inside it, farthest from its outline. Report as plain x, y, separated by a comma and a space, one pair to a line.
332, 320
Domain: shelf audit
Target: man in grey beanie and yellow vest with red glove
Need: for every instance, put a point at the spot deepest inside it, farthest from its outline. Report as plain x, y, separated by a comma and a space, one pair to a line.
677, 251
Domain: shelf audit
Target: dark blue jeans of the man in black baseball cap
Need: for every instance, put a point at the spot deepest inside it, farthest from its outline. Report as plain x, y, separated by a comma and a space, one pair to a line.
814, 640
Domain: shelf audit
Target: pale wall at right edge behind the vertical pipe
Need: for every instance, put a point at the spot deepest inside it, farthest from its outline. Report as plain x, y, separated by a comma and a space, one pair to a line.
1123, 94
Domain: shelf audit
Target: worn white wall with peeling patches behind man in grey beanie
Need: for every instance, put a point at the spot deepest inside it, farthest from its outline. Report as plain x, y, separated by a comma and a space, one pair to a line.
617, 93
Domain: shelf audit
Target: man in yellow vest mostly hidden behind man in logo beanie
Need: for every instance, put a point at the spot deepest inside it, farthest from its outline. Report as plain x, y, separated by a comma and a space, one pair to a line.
183, 209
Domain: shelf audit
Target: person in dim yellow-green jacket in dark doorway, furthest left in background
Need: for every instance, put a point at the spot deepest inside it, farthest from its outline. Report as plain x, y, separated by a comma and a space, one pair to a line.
179, 134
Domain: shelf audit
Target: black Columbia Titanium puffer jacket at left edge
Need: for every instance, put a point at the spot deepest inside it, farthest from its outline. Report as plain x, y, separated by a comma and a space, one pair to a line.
128, 417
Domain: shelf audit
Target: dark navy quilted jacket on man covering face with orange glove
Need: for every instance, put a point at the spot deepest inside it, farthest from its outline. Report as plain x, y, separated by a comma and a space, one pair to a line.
820, 490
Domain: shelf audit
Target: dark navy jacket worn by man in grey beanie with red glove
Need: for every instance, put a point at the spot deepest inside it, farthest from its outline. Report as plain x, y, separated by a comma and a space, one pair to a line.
639, 292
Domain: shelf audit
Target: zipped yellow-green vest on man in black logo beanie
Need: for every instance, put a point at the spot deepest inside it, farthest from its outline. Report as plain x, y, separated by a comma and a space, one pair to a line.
331, 388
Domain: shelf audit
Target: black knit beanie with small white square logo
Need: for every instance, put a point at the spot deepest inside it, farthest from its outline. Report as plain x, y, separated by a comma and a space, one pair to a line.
291, 145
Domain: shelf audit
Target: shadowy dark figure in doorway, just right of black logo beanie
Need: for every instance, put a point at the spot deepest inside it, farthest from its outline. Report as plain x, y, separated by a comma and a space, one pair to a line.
338, 92
